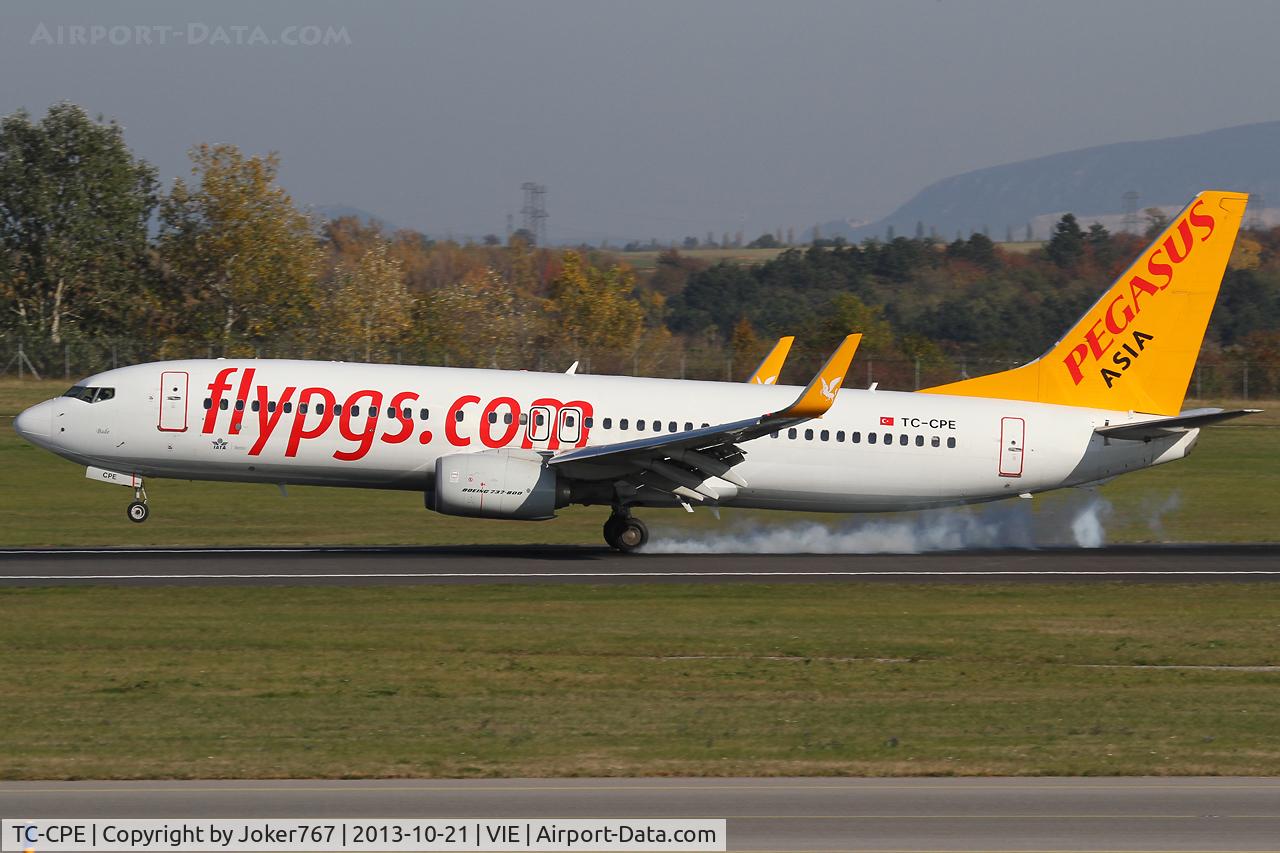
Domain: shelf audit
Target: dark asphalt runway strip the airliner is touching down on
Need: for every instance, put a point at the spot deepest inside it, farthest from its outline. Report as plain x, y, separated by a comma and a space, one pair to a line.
546, 564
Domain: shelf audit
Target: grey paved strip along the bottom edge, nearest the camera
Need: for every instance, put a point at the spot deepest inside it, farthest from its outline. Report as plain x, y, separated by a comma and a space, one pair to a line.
1034, 814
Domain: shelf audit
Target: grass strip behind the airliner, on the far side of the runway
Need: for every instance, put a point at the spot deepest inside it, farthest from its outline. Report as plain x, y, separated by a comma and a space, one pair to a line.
1224, 492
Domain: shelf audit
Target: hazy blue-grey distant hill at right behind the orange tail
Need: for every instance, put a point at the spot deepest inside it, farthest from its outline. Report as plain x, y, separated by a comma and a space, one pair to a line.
1090, 183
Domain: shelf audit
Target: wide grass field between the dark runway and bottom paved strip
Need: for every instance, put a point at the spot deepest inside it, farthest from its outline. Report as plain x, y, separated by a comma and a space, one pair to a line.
639, 681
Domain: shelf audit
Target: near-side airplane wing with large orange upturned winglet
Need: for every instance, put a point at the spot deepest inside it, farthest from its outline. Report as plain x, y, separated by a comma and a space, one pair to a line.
683, 463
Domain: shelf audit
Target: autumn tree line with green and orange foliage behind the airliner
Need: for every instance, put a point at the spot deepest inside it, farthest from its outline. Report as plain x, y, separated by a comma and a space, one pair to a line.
223, 262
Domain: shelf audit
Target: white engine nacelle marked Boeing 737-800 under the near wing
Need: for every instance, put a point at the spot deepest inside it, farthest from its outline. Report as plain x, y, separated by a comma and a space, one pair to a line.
497, 485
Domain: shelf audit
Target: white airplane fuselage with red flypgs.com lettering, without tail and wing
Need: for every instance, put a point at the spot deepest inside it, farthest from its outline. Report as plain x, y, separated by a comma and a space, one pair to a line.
310, 423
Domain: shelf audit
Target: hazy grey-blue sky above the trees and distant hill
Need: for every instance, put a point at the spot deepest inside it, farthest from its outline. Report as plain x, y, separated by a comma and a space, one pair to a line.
643, 120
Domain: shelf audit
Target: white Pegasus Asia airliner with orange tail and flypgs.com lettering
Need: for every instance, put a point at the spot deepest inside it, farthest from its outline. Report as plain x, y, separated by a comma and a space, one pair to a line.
1105, 400
